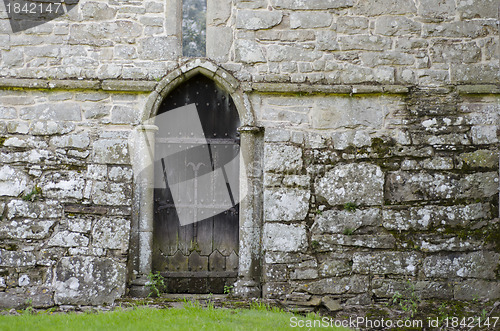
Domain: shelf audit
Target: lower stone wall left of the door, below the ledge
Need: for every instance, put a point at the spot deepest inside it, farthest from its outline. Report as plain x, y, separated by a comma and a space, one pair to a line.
65, 195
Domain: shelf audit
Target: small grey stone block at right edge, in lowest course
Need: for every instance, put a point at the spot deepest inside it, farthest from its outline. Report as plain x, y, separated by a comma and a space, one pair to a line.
473, 289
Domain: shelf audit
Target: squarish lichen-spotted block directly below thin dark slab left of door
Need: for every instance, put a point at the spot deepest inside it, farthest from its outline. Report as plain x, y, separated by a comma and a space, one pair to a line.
112, 233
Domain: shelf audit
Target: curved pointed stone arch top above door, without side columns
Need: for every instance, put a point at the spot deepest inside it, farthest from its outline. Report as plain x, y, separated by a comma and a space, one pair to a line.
206, 68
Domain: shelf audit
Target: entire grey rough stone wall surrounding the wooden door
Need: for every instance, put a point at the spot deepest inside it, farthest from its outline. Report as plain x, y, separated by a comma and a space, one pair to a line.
374, 125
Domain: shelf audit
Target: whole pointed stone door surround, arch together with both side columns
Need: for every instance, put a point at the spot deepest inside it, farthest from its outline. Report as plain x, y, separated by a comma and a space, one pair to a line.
251, 210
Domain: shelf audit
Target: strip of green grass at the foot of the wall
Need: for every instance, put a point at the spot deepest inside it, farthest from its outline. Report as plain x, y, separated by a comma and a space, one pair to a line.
191, 317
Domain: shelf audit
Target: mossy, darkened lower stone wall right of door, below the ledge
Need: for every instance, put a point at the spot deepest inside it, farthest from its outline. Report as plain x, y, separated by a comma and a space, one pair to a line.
381, 189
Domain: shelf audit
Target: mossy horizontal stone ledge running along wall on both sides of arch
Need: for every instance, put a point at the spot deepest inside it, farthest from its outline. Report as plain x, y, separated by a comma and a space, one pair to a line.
144, 86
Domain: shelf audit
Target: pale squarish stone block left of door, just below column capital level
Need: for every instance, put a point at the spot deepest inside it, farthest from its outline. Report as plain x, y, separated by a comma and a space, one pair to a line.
111, 151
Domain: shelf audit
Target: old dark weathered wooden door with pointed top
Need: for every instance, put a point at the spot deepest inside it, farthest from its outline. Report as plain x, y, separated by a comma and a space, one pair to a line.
197, 254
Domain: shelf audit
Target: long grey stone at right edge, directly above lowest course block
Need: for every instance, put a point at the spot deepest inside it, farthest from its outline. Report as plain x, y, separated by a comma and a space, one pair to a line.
474, 265
